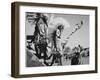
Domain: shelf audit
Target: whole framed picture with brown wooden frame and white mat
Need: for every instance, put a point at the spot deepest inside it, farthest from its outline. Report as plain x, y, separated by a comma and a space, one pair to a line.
51, 39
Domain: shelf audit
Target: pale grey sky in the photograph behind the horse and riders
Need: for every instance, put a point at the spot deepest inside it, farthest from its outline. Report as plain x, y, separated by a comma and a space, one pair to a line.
80, 37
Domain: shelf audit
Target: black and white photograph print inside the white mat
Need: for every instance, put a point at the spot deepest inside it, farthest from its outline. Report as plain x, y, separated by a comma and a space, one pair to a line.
54, 39
